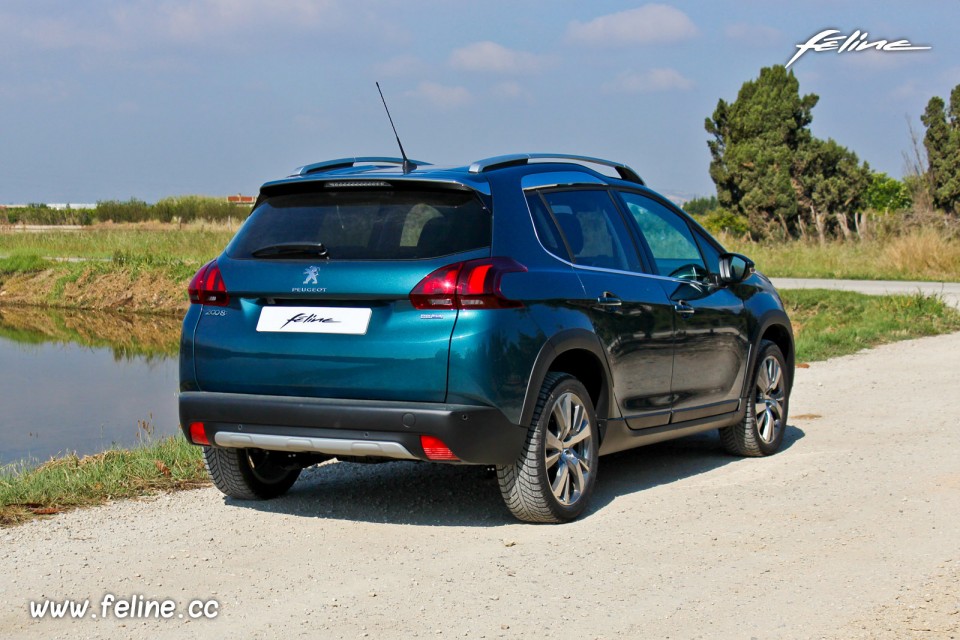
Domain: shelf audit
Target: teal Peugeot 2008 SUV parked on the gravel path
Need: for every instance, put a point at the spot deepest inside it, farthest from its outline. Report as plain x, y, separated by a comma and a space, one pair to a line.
527, 312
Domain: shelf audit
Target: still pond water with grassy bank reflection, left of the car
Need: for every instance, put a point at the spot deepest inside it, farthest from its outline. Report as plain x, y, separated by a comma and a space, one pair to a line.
72, 382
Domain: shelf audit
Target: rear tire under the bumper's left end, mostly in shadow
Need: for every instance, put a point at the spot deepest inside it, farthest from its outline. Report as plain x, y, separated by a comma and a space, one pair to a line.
249, 474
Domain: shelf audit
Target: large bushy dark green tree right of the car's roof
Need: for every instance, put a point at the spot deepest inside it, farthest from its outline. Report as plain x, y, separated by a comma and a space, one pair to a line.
770, 169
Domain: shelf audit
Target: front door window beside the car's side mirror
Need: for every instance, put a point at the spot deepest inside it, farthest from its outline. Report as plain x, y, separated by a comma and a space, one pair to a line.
671, 242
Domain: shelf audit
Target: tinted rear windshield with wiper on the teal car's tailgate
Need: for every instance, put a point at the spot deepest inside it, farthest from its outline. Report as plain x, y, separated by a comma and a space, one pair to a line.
366, 225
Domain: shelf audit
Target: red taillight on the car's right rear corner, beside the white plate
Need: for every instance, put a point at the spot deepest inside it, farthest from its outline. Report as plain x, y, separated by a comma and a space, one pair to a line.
474, 284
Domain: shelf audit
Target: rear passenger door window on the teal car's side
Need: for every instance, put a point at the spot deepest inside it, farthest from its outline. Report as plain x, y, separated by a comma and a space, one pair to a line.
592, 229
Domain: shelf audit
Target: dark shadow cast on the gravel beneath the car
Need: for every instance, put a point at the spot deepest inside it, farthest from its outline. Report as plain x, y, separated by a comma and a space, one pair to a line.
426, 494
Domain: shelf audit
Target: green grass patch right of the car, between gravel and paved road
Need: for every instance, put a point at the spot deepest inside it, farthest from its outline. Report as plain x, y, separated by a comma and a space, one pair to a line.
827, 324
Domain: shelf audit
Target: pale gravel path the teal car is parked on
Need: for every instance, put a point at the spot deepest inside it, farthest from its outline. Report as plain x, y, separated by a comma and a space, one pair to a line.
852, 531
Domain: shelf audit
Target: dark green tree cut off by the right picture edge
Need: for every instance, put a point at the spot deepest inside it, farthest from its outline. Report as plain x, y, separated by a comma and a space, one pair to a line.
942, 142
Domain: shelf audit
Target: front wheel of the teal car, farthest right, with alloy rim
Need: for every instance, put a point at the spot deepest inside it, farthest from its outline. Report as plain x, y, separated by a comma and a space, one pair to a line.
760, 433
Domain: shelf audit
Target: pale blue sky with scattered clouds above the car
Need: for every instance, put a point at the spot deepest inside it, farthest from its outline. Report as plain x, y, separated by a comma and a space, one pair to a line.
113, 99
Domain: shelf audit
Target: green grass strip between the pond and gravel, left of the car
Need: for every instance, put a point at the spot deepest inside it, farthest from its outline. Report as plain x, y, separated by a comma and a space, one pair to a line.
67, 483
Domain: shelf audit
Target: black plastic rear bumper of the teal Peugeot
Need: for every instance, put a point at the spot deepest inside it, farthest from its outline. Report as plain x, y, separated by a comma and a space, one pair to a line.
475, 434
